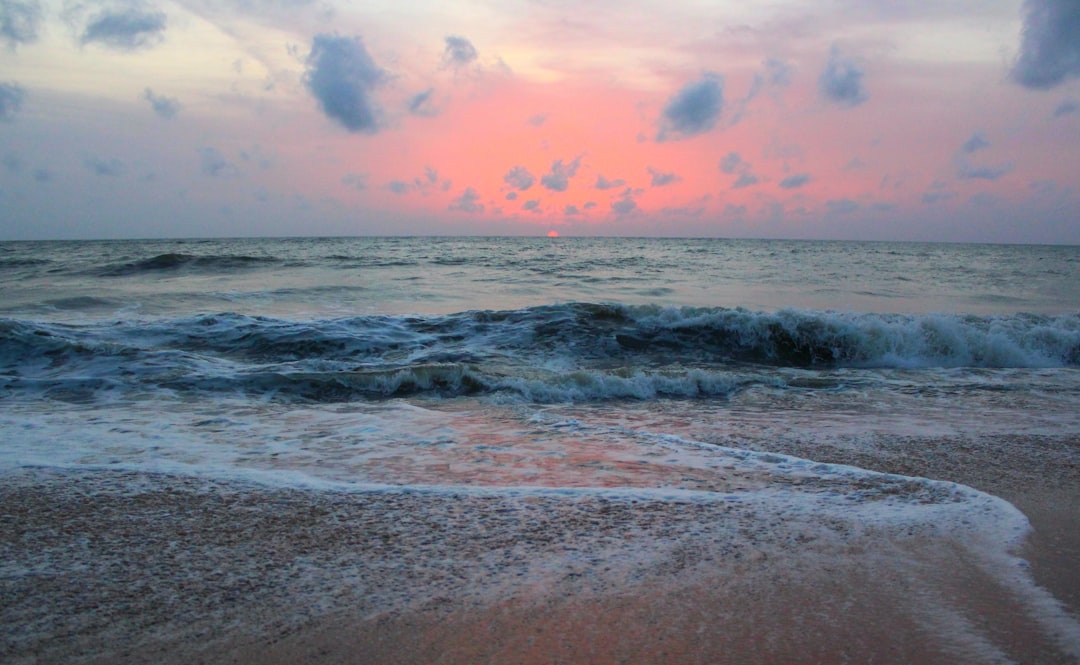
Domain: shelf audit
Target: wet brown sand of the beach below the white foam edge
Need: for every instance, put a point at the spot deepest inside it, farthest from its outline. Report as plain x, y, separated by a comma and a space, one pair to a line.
133, 568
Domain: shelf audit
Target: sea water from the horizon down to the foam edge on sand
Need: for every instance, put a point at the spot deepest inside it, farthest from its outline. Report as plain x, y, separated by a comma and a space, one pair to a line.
711, 372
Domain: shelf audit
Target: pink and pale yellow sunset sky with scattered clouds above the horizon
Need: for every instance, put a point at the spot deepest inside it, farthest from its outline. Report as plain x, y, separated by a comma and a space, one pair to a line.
955, 120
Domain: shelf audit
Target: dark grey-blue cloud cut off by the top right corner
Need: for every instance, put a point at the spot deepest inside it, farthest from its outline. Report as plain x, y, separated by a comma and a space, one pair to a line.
1050, 47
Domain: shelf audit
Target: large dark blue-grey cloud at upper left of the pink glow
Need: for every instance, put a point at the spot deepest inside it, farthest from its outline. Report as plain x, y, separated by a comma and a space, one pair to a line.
343, 77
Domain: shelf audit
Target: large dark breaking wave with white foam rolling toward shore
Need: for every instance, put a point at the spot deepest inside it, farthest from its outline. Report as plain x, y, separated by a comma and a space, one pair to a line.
569, 352
